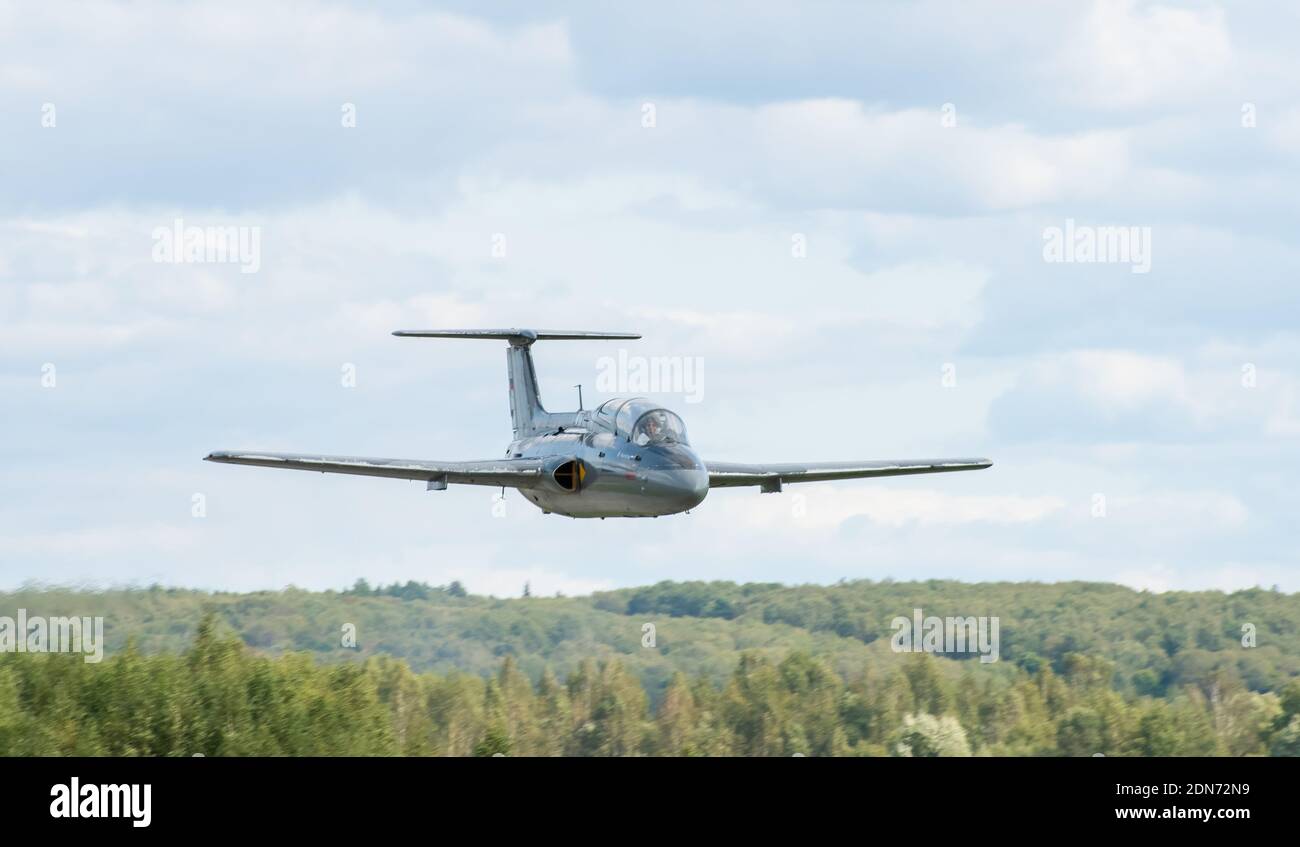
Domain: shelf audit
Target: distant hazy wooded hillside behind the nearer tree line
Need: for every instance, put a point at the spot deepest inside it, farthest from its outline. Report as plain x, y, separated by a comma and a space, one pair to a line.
1156, 642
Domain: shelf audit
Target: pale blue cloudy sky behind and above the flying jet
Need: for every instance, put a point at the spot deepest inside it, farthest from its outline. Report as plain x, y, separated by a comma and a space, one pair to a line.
839, 210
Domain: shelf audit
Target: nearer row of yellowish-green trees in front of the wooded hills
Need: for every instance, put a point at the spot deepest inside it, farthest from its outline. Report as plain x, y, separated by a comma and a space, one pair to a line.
220, 698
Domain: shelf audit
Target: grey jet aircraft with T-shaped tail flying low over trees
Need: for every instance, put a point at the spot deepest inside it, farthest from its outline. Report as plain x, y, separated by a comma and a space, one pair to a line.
629, 458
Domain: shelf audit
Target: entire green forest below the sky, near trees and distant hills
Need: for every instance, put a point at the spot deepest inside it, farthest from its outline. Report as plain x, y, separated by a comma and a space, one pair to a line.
730, 671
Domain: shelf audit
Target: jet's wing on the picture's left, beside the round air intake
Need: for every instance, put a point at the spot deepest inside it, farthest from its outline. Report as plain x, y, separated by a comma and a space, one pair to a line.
515, 474
